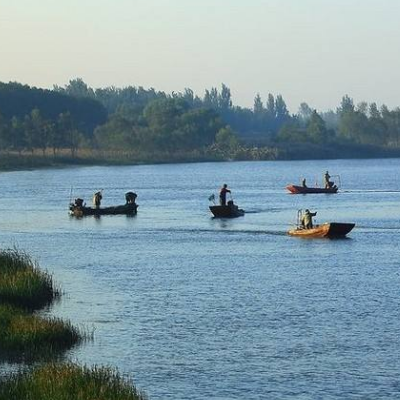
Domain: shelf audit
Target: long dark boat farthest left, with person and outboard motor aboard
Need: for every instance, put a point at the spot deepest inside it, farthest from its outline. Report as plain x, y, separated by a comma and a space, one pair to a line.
79, 208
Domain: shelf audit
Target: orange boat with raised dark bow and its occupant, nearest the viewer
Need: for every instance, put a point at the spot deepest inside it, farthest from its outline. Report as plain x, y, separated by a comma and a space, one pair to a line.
305, 227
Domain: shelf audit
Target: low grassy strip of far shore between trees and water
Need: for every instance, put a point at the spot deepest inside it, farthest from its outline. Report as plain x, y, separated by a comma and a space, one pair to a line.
31, 161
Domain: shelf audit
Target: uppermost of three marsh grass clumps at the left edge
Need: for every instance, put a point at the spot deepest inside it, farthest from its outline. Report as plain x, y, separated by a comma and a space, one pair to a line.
22, 283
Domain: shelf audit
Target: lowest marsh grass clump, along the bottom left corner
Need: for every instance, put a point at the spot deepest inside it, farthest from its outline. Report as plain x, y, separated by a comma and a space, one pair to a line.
69, 381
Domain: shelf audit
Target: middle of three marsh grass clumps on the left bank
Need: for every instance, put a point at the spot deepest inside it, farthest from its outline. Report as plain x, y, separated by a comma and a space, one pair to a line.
28, 337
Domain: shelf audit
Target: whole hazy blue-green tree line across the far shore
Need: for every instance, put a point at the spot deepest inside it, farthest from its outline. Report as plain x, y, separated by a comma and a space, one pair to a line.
134, 118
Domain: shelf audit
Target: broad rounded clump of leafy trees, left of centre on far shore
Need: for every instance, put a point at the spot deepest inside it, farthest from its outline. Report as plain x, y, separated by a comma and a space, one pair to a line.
165, 124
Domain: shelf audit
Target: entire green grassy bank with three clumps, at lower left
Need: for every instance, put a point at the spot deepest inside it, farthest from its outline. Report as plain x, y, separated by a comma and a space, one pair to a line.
25, 336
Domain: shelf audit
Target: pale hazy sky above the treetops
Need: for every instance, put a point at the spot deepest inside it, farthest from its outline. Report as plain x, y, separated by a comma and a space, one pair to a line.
307, 50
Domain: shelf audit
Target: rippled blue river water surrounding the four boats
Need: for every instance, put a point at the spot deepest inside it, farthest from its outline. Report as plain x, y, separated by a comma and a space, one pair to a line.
192, 307
